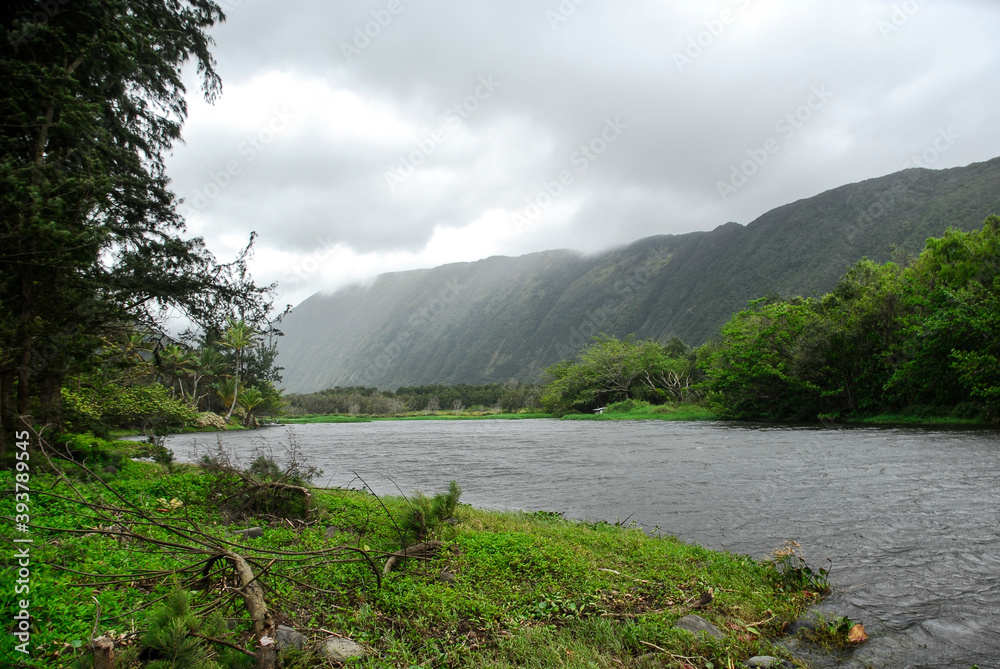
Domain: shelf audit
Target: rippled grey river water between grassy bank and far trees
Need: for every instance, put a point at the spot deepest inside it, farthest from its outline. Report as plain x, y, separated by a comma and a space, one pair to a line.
910, 518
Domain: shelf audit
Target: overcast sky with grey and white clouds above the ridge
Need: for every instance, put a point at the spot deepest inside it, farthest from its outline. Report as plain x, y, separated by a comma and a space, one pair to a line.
363, 137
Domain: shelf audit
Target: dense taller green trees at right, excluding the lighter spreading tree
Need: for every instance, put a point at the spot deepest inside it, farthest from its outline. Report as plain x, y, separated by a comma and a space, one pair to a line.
919, 337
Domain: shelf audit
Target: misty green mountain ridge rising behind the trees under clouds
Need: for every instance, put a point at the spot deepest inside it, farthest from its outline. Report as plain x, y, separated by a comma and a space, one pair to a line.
503, 318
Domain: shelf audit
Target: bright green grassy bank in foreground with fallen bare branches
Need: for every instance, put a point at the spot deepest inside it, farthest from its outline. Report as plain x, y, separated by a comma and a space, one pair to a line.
503, 590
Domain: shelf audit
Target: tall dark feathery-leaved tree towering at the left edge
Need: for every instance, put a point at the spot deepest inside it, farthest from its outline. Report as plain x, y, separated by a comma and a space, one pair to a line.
90, 240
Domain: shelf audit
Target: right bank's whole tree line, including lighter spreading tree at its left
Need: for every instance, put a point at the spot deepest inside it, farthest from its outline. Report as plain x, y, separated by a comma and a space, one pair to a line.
918, 338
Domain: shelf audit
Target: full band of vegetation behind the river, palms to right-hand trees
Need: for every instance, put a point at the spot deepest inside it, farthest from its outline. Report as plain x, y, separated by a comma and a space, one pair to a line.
913, 339
